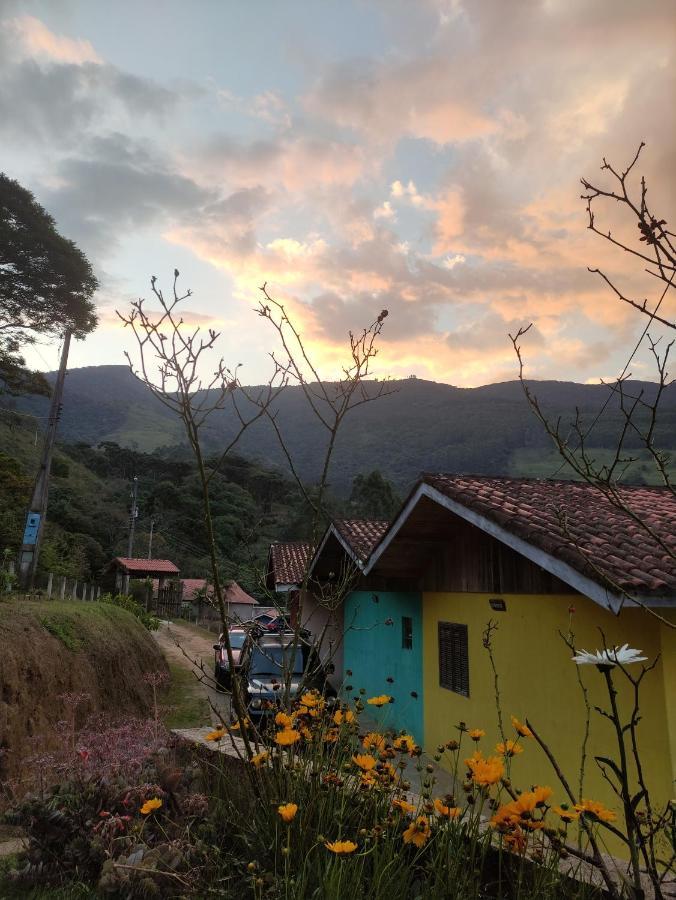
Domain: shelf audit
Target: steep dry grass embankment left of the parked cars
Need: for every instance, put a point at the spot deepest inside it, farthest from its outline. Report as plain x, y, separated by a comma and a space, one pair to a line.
49, 649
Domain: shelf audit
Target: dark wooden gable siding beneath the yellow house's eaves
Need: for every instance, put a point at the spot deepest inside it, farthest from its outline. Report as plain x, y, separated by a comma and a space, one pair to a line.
435, 550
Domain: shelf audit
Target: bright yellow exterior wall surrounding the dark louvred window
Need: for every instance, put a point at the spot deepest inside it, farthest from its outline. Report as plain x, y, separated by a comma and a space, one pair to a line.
538, 680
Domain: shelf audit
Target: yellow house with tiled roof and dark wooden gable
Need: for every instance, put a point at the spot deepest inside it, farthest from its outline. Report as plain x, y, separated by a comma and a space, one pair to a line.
550, 565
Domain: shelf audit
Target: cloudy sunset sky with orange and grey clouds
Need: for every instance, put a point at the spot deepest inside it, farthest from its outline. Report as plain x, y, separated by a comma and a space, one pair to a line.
422, 156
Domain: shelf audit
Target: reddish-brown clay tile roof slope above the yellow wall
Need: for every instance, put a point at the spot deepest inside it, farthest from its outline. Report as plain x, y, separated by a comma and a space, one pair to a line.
576, 523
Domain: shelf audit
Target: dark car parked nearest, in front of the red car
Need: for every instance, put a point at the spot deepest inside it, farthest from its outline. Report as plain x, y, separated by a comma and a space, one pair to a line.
266, 662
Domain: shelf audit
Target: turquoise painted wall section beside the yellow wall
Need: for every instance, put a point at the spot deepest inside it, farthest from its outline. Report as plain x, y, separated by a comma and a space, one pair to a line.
374, 652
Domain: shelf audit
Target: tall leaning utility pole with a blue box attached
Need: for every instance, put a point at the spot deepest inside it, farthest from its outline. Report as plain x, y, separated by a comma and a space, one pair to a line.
37, 511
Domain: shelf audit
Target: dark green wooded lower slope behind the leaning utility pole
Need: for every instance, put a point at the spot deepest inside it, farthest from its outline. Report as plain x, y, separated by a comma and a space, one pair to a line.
89, 500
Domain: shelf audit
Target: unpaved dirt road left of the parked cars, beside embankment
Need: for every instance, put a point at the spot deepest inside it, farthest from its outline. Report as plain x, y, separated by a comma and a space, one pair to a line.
191, 647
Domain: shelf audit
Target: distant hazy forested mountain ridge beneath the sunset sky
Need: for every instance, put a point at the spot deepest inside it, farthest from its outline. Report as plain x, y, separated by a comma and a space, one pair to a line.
421, 425
